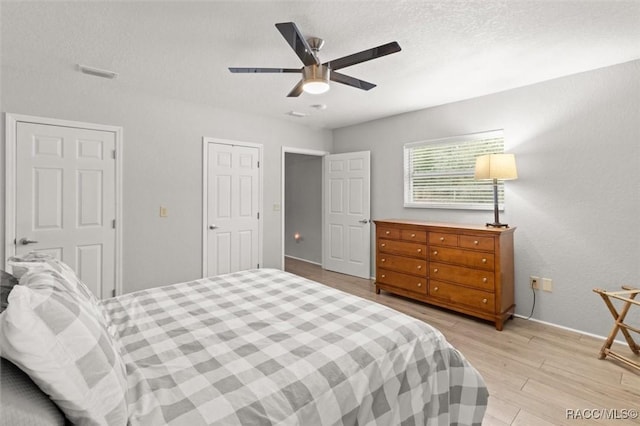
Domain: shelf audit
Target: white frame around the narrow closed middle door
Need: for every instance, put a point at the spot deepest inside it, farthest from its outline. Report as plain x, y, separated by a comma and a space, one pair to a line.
205, 195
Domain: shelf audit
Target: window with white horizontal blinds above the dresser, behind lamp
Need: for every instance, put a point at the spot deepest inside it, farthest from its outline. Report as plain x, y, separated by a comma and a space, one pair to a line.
439, 173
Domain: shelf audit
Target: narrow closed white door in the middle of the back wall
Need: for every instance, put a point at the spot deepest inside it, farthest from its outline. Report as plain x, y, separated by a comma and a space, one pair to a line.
233, 204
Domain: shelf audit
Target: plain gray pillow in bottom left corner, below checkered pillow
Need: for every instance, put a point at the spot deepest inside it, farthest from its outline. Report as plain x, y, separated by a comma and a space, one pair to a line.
22, 402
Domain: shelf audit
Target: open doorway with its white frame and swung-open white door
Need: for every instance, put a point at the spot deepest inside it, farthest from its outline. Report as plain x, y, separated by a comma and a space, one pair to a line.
344, 200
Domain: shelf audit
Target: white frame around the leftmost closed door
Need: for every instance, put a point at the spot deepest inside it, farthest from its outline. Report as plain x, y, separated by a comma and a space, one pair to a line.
11, 141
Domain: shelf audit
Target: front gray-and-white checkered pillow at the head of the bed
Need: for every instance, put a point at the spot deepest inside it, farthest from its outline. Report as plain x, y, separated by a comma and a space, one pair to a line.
54, 337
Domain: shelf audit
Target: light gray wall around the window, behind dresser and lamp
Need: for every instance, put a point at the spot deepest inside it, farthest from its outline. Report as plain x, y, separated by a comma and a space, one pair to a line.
576, 204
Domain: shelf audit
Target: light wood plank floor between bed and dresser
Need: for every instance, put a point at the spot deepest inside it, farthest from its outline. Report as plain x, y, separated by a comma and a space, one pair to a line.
534, 372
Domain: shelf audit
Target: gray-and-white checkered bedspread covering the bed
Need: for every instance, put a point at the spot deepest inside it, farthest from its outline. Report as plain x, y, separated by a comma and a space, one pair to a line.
265, 347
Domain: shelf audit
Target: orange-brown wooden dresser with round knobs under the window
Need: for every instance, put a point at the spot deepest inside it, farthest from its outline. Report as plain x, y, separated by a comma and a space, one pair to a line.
465, 268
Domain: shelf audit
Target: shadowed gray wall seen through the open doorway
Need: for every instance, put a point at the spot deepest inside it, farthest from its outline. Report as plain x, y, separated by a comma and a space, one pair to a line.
303, 206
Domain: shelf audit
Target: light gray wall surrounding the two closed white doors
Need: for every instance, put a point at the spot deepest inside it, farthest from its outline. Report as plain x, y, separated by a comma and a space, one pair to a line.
162, 162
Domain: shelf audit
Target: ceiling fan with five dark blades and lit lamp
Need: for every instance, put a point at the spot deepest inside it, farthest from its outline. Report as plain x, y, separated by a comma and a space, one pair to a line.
316, 75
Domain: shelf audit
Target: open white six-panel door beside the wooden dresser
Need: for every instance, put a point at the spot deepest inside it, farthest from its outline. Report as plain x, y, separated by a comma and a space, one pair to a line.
347, 227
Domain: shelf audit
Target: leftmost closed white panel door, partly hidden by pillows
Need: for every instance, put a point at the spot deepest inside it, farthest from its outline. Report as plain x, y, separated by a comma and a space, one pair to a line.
65, 199
